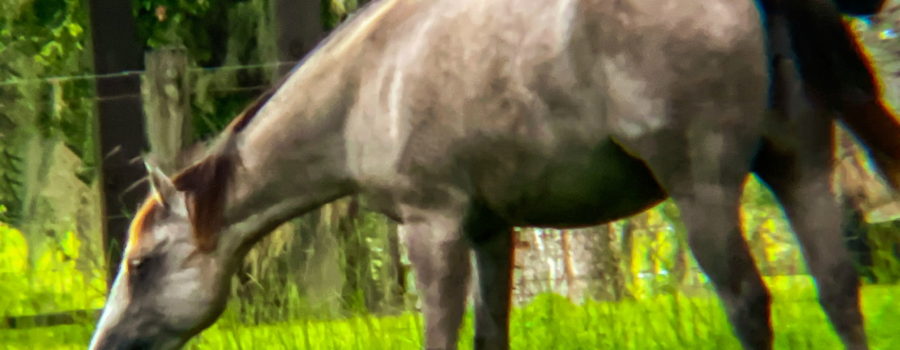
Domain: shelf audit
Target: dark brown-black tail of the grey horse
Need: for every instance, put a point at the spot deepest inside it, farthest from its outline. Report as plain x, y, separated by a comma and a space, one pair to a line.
838, 74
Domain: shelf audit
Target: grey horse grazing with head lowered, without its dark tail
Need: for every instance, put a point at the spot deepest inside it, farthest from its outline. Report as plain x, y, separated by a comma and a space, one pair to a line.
464, 118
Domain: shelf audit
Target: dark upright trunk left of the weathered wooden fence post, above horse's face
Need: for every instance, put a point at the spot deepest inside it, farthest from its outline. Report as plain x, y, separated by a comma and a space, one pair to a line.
120, 125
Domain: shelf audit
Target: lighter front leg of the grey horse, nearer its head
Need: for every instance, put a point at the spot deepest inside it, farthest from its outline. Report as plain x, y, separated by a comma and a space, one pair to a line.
440, 257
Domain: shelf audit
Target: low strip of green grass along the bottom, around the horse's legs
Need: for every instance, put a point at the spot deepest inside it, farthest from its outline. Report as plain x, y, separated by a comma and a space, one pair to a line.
548, 322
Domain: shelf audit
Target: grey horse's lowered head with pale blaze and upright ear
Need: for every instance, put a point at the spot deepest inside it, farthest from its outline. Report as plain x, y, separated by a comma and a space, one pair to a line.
172, 281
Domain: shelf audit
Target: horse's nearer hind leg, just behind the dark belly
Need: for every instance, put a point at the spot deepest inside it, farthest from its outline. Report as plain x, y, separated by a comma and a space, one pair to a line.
706, 184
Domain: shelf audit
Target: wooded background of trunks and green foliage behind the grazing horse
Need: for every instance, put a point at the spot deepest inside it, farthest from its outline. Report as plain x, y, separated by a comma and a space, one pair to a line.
193, 65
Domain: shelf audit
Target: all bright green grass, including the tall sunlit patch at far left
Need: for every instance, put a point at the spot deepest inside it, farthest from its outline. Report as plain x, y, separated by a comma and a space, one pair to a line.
50, 282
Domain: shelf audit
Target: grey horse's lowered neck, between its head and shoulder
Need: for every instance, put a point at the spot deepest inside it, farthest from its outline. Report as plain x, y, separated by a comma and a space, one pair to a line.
293, 151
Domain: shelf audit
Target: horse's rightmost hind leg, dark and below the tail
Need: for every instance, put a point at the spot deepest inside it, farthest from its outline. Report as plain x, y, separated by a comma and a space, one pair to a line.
798, 171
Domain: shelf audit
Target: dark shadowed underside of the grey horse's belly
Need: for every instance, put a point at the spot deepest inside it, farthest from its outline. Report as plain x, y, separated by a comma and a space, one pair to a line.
594, 187
